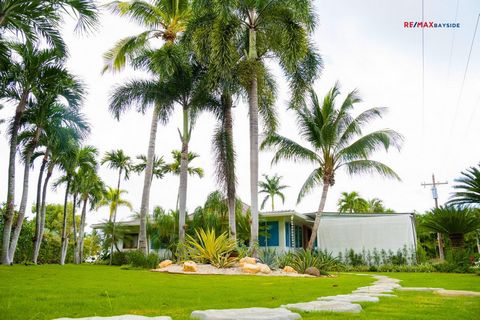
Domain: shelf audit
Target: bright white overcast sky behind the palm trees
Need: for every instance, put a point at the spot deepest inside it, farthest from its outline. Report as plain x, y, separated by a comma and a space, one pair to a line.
364, 46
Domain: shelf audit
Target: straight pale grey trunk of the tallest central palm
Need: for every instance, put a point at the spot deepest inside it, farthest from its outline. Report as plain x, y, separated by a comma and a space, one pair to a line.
253, 111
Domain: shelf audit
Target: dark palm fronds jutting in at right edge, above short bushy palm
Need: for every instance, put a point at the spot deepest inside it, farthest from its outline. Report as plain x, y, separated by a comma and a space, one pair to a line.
468, 186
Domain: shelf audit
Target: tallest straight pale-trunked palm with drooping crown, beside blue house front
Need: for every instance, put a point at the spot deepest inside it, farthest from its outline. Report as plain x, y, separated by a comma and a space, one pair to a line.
257, 28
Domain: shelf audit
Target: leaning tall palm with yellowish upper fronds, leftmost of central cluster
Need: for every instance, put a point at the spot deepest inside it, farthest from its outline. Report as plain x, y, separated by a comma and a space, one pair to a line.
166, 20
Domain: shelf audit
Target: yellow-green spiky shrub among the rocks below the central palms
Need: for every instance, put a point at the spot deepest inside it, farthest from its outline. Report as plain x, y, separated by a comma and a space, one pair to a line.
207, 247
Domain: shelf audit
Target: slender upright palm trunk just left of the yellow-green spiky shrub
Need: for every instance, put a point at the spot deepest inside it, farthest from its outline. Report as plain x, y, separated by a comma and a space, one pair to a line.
183, 177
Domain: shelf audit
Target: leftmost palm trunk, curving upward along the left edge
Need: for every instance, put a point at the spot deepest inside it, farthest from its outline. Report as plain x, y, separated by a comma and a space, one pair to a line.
9, 213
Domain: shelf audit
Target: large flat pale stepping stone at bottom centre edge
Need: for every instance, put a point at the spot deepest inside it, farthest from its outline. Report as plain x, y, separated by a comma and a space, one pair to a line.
246, 314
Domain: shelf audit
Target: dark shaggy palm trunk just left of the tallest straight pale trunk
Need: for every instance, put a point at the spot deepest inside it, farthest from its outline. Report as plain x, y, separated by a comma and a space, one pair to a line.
230, 165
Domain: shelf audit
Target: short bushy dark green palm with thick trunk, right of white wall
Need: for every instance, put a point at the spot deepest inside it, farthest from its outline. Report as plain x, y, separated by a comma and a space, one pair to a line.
454, 222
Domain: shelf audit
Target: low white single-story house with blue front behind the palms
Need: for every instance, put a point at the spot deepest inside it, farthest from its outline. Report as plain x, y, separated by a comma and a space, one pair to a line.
287, 230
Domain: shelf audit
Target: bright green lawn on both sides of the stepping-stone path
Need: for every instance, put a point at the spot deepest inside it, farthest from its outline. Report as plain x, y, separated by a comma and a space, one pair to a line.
46, 292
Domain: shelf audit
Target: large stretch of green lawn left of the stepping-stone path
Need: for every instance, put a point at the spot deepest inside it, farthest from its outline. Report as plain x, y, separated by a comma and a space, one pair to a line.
50, 291
